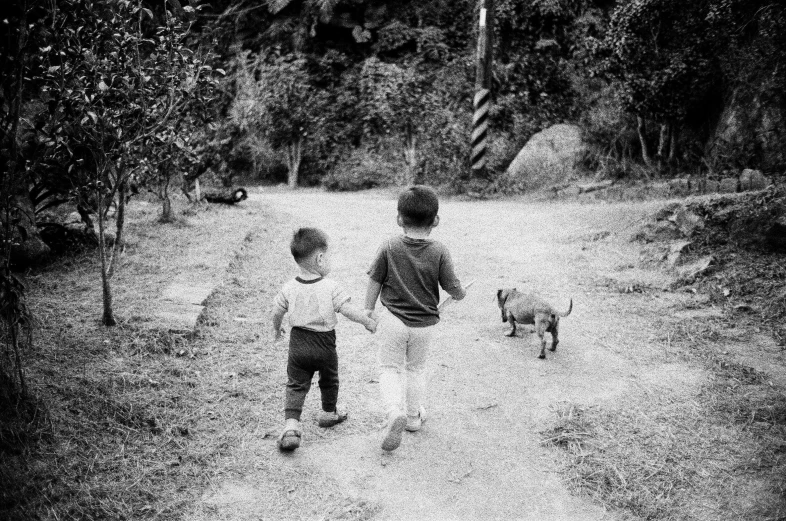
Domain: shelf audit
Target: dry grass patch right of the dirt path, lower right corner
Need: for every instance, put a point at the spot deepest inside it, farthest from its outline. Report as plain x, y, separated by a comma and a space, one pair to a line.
716, 454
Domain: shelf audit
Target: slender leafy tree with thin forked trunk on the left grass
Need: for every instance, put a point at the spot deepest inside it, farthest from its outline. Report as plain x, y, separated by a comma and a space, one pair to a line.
110, 87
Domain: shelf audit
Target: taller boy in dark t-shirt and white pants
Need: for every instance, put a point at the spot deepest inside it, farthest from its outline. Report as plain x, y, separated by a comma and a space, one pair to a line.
408, 271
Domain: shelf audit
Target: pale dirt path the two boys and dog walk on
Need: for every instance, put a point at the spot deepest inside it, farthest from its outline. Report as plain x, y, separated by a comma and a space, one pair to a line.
479, 455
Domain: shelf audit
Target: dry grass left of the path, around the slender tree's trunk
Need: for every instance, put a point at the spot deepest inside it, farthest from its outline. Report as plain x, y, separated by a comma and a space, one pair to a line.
112, 430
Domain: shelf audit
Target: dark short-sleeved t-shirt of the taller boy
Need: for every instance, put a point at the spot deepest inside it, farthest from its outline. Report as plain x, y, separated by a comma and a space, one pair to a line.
410, 272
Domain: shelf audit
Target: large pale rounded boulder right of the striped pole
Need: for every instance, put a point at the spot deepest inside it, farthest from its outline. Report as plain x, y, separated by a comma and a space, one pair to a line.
549, 157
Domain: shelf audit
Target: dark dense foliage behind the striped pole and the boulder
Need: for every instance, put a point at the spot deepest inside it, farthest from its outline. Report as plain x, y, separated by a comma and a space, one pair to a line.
646, 79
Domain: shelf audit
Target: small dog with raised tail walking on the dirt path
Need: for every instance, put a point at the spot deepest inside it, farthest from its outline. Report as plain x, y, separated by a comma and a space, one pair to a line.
526, 308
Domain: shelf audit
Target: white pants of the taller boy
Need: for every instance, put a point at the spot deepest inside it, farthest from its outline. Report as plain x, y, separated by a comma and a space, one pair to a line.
402, 353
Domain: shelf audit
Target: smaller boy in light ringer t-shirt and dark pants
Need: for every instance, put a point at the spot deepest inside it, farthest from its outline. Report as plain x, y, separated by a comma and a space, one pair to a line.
312, 301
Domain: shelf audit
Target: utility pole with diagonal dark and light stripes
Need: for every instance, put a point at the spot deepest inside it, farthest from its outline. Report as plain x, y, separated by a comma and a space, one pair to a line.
482, 101
